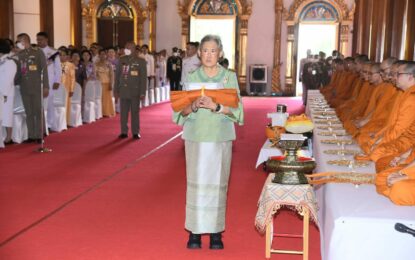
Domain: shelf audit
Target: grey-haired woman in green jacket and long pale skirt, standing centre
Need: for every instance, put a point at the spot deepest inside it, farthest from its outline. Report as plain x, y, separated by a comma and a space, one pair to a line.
208, 131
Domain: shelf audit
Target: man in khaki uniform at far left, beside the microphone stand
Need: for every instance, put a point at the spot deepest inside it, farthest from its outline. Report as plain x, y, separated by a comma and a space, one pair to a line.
32, 67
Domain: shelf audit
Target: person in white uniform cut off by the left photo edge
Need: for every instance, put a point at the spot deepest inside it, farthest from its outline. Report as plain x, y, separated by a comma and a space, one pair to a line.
8, 70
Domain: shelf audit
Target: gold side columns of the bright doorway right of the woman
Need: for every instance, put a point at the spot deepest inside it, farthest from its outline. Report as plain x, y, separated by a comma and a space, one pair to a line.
292, 18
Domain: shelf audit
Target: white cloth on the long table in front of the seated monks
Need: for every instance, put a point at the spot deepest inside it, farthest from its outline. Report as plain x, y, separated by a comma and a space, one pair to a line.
356, 222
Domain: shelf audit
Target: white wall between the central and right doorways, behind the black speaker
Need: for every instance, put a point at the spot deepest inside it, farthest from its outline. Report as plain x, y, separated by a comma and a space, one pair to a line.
260, 46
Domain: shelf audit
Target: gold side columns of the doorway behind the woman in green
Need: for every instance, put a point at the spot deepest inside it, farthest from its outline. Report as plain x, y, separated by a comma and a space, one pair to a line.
244, 12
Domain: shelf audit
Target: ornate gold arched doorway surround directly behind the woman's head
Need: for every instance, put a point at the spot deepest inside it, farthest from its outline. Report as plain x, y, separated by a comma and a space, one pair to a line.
238, 11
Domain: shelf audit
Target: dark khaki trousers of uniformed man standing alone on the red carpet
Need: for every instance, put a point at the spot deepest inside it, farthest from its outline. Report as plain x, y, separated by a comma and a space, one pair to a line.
127, 105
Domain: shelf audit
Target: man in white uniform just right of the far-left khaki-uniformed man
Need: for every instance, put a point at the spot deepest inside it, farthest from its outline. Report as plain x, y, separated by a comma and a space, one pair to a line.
54, 73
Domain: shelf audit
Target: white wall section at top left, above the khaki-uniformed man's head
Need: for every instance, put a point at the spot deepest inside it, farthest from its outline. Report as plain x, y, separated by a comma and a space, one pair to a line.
26, 18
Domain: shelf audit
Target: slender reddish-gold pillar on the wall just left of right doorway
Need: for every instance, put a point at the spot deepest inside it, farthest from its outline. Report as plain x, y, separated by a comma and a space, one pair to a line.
276, 81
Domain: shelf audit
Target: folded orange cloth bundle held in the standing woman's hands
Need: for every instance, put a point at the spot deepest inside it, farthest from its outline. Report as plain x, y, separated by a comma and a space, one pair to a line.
226, 97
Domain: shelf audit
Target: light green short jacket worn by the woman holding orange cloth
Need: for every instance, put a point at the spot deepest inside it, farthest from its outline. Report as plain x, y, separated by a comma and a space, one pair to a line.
208, 126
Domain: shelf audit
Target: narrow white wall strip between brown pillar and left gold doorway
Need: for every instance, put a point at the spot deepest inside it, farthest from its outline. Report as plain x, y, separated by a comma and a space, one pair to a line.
61, 23
